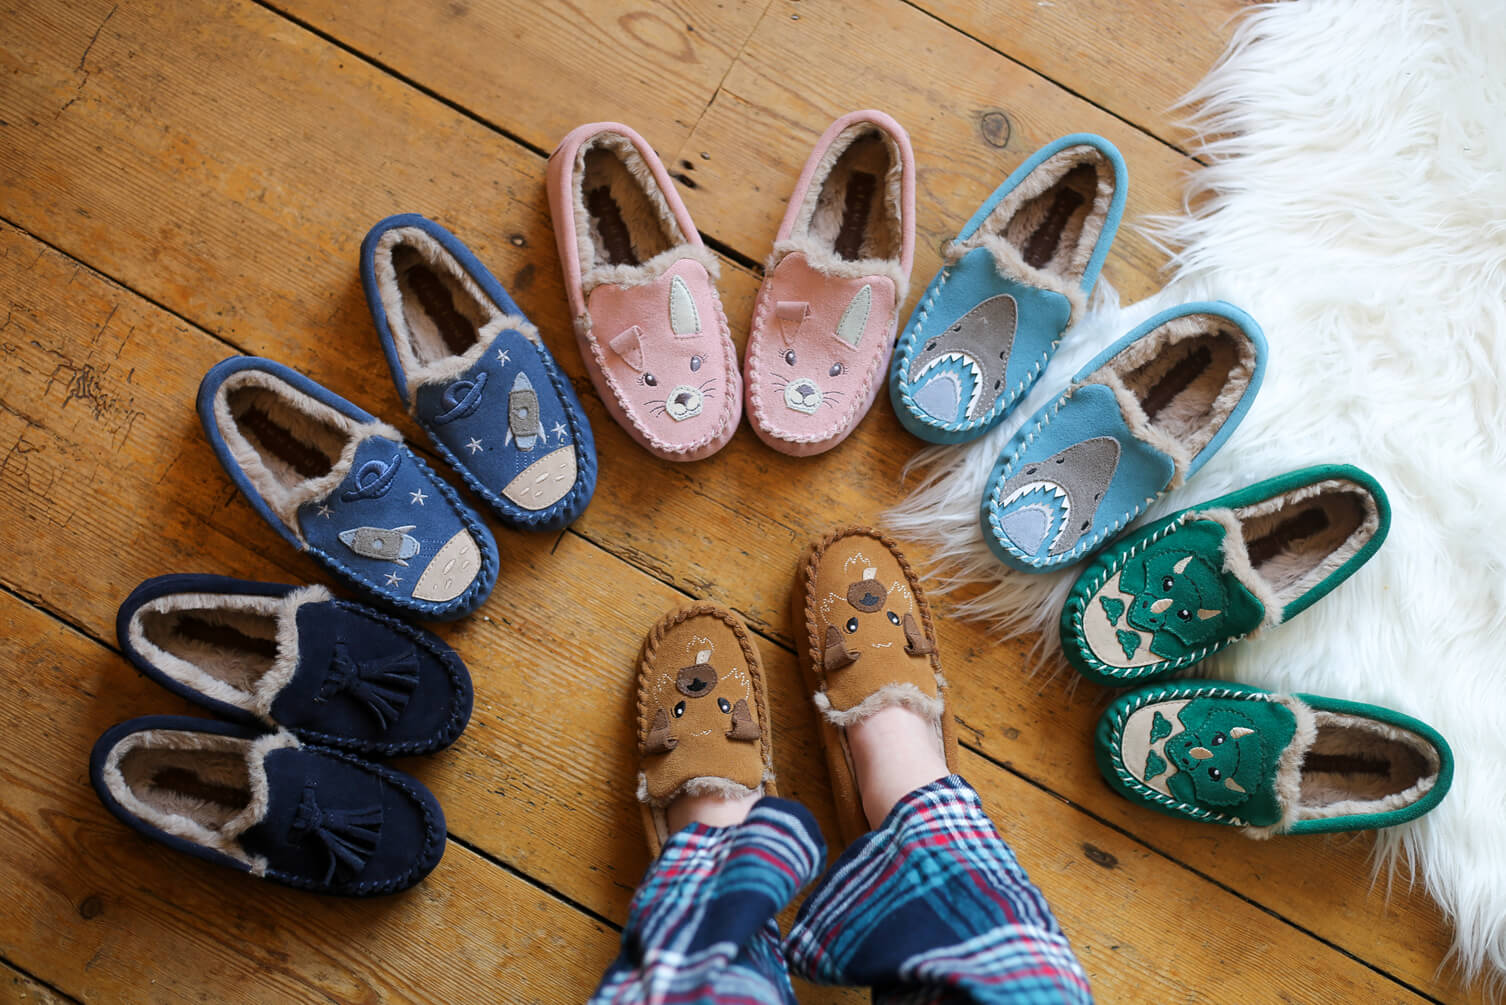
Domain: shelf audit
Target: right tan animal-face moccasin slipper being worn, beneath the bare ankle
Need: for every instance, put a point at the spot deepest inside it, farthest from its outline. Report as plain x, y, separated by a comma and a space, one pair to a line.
867, 643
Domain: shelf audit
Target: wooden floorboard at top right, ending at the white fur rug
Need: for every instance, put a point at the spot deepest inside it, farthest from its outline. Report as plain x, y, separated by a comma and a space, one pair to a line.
1132, 60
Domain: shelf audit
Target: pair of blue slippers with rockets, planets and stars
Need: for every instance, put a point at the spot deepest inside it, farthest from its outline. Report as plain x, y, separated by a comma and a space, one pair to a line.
341, 484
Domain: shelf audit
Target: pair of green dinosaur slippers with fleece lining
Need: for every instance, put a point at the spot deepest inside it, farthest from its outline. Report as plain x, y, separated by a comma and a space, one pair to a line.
1184, 588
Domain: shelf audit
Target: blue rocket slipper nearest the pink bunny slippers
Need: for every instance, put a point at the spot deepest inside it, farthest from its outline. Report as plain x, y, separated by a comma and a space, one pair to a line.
477, 377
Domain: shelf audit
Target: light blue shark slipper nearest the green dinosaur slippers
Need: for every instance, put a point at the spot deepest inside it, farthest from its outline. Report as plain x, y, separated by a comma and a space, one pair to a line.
1139, 420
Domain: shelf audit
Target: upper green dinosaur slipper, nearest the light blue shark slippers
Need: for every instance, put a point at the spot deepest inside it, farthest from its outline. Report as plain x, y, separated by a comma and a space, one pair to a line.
1186, 587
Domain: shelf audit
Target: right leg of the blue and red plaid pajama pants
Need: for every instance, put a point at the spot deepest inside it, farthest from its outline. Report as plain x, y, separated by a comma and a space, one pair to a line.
934, 908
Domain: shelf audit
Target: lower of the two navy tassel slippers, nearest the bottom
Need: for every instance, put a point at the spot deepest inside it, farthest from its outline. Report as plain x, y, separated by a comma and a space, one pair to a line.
266, 804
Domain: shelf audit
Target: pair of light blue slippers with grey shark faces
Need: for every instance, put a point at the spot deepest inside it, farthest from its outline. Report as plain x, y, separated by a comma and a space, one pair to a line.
1139, 420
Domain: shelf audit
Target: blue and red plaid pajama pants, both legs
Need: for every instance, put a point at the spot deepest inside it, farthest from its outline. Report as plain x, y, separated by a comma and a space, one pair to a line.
930, 908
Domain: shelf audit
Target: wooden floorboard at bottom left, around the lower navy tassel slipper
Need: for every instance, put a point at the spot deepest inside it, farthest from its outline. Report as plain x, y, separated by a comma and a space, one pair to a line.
109, 915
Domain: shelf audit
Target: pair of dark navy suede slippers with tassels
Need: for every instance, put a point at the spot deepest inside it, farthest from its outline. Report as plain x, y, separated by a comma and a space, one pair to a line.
311, 688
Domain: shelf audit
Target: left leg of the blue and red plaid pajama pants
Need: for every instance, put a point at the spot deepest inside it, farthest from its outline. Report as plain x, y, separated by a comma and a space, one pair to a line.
703, 927
